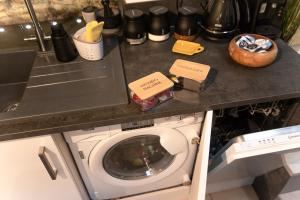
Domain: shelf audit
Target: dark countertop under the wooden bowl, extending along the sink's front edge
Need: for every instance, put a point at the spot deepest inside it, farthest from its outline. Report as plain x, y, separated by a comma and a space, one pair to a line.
232, 85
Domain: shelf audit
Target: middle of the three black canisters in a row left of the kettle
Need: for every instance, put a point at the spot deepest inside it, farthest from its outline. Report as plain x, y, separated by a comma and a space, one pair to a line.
159, 25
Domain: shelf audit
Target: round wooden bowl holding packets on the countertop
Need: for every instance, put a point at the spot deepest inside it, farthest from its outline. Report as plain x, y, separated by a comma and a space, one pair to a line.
252, 59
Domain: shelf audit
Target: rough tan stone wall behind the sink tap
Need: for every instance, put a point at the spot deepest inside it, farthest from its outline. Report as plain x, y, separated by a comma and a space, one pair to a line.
15, 11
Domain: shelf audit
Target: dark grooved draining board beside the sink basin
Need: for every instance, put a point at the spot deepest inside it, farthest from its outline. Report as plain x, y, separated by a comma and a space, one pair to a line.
54, 87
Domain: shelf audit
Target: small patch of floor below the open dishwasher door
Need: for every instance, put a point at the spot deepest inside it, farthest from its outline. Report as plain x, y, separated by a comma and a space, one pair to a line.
243, 193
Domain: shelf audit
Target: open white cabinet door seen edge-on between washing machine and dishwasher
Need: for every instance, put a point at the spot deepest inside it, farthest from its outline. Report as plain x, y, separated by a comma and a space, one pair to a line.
198, 187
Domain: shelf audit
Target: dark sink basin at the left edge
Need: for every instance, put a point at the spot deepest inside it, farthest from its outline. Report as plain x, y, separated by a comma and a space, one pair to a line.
15, 68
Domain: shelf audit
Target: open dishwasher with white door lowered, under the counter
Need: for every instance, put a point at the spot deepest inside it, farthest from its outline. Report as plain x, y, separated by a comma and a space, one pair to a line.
251, 142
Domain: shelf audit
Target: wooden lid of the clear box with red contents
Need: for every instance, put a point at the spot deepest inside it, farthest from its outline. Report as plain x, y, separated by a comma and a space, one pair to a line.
150, 85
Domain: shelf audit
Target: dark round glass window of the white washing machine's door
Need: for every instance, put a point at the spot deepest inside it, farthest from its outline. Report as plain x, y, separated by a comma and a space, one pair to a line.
137, 158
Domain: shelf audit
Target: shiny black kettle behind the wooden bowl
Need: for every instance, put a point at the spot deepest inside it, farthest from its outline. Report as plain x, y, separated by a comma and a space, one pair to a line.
222, 18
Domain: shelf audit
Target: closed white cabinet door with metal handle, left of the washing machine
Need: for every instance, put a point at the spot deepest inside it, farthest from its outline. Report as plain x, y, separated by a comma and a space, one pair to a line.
25, 176
